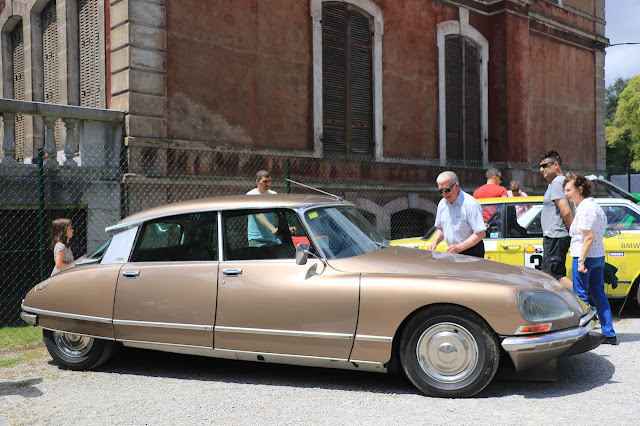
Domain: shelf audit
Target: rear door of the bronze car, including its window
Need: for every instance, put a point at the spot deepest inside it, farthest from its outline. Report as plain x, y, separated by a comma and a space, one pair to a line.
167, 292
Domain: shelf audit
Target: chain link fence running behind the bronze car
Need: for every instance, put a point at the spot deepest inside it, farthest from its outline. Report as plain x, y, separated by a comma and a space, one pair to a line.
398, 196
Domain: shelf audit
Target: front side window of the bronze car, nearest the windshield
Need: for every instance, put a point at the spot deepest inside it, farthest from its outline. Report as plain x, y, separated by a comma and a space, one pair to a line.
263, 234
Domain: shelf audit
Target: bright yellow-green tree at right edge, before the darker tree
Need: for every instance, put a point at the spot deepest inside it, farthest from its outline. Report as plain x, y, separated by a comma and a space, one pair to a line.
623, 135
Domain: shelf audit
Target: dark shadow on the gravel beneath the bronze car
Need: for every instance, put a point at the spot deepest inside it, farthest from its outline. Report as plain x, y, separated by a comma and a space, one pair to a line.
575, 374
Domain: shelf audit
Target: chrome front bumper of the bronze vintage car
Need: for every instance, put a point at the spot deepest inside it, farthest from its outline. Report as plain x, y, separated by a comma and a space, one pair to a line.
529, 351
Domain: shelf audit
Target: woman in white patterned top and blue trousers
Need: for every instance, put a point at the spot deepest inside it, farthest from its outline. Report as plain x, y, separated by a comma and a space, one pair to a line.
587, 250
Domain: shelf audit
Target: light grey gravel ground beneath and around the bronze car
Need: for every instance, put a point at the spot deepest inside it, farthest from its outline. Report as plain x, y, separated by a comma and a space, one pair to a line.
143, 387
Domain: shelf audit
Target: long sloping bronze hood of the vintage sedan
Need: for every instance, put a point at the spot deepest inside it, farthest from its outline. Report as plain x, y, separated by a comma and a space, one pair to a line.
403, 261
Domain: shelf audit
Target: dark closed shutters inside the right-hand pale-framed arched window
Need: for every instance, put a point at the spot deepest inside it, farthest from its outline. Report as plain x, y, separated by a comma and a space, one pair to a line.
462, 99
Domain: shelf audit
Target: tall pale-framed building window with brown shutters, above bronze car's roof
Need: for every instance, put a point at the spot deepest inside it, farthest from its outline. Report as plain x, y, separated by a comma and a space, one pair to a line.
347, 74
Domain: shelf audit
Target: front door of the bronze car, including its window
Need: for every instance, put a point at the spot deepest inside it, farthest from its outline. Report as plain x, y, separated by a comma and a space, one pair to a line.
269, 304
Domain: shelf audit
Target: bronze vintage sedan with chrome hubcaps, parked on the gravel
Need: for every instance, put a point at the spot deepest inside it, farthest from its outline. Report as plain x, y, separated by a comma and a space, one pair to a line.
328, 291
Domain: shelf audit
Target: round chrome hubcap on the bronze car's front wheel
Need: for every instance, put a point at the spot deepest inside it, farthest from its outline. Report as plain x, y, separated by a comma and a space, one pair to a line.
447, 352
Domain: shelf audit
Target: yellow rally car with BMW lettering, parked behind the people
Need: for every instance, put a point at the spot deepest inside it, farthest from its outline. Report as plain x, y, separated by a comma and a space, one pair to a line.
514, 236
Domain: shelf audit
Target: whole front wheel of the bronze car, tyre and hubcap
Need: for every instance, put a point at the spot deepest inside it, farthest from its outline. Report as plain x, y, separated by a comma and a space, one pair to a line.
449, 352
